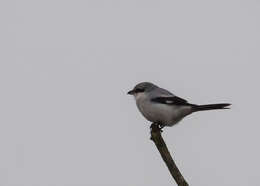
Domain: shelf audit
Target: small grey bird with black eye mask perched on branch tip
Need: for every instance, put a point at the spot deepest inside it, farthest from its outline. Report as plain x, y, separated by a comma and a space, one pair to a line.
163, 108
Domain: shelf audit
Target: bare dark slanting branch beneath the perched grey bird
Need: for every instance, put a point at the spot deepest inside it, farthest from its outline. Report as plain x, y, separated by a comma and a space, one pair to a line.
156, 137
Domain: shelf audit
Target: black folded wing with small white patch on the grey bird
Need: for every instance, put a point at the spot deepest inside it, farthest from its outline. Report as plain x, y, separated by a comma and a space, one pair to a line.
170, 100
